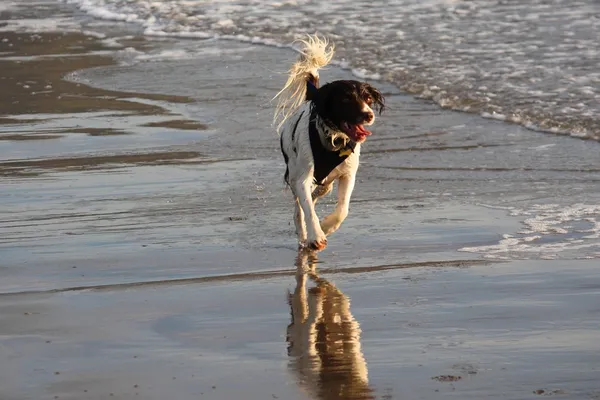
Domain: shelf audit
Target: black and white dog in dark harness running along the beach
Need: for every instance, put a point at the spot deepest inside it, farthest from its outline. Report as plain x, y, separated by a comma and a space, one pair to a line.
321, 129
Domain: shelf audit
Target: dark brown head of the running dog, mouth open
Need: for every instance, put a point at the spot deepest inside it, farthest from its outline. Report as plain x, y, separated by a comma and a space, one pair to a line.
348, 106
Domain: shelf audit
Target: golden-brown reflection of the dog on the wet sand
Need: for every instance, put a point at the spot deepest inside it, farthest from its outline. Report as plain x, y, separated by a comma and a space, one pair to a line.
324, 338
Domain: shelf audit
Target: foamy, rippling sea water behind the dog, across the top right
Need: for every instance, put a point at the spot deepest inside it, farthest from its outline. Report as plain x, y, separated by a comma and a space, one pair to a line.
534, 62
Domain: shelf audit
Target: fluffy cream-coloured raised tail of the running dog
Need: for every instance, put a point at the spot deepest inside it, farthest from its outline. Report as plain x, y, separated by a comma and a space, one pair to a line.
315, 53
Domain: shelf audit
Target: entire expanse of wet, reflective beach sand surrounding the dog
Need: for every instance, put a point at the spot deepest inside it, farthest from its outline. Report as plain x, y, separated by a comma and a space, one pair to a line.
147, 249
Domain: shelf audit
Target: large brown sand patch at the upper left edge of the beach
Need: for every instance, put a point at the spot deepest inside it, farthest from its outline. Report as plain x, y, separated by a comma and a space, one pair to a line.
36, 85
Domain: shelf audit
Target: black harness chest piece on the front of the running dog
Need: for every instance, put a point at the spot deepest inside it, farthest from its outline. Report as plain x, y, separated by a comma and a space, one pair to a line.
325, 160
